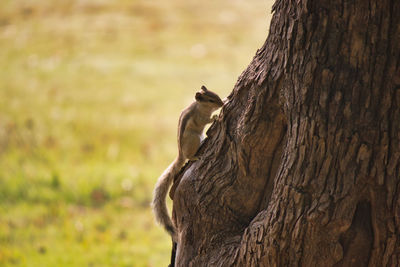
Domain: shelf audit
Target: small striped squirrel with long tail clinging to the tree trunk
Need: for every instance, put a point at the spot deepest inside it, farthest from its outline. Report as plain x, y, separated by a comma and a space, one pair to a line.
192, 121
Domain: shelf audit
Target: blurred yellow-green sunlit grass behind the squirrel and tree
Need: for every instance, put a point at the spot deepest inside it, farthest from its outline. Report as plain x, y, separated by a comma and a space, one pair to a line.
90, 95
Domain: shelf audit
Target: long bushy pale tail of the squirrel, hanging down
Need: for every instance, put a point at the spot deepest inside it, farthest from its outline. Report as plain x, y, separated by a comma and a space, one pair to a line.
160, 193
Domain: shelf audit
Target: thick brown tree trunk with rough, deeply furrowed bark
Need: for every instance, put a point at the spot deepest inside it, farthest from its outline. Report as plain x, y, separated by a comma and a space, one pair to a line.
303, 166
